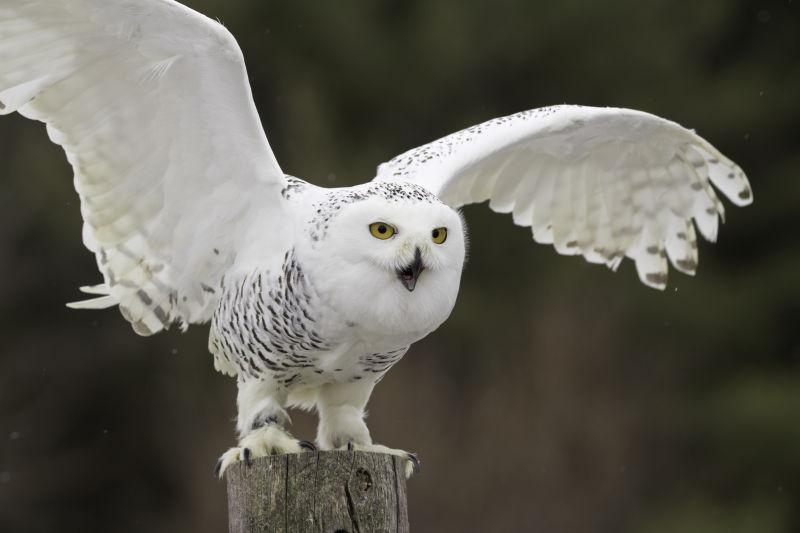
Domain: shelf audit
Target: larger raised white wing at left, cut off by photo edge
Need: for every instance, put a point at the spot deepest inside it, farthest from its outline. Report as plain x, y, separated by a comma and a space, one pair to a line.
151, 103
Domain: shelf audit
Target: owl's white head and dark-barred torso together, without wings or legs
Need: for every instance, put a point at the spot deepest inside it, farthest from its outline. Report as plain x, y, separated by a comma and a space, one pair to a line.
312, 315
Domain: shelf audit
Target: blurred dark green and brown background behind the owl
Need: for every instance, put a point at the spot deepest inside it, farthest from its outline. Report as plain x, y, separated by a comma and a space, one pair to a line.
559, 397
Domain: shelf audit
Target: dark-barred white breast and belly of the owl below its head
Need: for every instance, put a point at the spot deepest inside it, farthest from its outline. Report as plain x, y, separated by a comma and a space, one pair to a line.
275, 325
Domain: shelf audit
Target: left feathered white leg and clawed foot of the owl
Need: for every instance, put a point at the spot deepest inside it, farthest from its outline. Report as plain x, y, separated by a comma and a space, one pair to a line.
260, 424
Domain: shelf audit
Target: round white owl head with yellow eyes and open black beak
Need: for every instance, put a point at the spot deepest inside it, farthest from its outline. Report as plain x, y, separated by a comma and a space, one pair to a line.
393, 256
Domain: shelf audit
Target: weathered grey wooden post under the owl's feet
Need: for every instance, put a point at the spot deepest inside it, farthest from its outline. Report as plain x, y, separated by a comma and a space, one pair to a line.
325, 492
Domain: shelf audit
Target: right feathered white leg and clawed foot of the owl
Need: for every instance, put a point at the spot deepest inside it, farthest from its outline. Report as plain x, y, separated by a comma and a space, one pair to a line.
341, 422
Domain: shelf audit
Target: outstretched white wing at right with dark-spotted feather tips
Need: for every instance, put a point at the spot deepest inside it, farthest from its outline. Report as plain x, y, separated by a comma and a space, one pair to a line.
604, 183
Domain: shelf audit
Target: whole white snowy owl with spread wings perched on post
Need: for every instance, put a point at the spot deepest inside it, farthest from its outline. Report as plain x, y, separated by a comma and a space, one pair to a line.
314, 293
